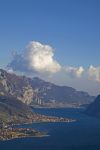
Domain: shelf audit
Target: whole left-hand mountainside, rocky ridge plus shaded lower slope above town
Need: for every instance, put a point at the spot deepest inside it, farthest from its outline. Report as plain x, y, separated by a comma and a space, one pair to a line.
18, 93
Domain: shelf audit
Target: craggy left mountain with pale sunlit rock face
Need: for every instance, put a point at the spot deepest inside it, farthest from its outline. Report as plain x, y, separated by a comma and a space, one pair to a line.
16, 86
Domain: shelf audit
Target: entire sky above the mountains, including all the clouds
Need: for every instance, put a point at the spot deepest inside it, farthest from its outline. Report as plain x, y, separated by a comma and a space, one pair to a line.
57, 40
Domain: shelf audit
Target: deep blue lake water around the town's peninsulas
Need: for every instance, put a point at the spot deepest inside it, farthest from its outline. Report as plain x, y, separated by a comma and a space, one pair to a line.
81, 135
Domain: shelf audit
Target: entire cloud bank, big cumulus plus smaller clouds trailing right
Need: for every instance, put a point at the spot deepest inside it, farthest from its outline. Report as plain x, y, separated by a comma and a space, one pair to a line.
39, 58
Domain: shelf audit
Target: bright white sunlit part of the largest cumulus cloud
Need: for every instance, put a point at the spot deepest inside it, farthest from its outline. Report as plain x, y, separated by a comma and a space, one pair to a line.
40, 58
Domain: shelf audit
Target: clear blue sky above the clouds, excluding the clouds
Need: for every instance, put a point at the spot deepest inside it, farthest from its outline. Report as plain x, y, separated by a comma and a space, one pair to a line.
71, 27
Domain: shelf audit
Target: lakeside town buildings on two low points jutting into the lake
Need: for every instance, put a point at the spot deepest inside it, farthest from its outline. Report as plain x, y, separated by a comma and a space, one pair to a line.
9, 131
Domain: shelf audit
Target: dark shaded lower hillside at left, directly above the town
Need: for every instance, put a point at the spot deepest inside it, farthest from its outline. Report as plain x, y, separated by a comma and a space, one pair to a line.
13, 111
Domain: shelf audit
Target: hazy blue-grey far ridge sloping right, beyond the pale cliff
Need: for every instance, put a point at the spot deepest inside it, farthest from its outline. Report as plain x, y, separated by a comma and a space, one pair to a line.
51, 93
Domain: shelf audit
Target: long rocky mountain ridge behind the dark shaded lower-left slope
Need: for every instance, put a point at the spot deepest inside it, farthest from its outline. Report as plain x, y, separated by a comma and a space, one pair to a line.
36, 91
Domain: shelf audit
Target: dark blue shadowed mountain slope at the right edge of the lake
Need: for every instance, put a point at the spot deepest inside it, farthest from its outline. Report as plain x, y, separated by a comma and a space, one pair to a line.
94, 108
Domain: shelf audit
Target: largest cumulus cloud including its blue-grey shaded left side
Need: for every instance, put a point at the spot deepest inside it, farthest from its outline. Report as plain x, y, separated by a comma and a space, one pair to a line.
36, 57
